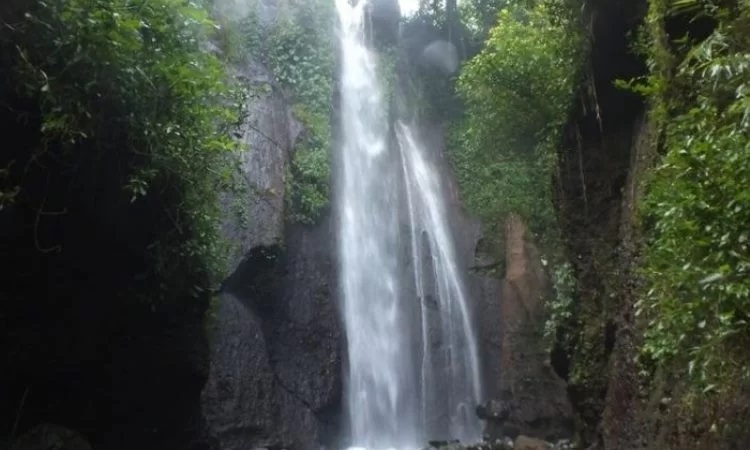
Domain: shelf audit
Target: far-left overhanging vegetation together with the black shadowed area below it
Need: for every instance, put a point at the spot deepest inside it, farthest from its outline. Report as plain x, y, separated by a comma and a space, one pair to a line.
118, 120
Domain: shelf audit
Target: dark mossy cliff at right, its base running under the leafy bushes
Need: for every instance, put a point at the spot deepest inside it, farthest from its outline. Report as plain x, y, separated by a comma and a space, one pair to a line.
612, 145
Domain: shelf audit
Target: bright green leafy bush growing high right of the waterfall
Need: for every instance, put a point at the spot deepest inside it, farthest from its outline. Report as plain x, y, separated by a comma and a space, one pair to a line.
517, 93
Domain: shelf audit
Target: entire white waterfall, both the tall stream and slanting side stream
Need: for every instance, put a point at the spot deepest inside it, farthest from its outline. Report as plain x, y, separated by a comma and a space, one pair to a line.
413, 371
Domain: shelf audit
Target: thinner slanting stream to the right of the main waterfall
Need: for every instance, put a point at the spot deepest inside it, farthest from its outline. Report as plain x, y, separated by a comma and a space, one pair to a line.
450, 359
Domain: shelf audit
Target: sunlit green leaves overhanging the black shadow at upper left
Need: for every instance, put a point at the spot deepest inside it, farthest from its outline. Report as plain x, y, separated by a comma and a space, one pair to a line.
131, 80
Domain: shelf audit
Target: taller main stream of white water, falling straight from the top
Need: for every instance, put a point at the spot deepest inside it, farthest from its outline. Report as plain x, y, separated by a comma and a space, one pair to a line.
377, 334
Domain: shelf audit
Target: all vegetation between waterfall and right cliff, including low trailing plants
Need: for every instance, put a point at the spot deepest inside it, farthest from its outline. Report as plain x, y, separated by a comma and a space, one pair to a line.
505, 110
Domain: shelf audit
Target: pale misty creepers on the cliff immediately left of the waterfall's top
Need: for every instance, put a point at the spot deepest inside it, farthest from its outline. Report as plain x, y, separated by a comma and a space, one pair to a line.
297, 47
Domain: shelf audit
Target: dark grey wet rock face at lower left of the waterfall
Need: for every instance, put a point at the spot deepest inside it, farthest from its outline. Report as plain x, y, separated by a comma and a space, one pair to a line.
275, 378
